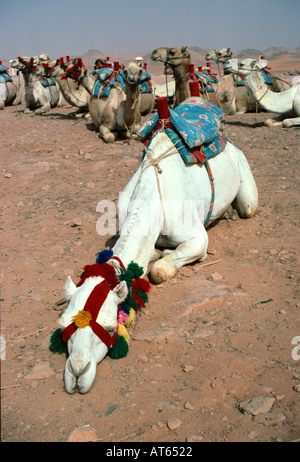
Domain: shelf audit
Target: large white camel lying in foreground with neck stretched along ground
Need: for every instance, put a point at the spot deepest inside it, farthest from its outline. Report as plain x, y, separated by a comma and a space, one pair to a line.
152, 208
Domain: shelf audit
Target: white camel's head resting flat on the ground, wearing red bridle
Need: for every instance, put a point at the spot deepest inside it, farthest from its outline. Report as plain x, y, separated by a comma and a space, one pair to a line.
89, 332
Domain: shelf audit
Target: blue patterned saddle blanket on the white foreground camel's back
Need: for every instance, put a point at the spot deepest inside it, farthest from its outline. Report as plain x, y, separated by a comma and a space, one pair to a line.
195, 128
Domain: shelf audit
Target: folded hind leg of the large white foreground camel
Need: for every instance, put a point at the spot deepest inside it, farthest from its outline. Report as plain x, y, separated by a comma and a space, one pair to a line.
246, 201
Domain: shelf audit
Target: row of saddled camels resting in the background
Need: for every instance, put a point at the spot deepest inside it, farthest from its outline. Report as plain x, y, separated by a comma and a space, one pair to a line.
121, 112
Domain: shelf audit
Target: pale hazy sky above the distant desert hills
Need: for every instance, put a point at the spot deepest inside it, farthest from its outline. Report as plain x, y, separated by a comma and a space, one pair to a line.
72, 27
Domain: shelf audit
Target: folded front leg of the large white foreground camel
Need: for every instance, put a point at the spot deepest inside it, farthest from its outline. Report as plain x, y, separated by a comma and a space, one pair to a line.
186, 252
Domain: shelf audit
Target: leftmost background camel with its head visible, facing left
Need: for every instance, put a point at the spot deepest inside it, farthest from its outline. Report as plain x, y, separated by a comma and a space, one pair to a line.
37, 97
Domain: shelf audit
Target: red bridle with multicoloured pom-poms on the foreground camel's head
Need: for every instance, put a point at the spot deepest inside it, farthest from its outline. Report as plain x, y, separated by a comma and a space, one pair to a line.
138, 288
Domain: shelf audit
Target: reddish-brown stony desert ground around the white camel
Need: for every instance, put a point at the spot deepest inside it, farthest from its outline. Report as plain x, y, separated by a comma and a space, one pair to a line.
216, 335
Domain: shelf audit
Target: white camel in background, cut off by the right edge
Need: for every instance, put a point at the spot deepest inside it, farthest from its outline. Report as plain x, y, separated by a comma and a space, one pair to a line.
286, 103
